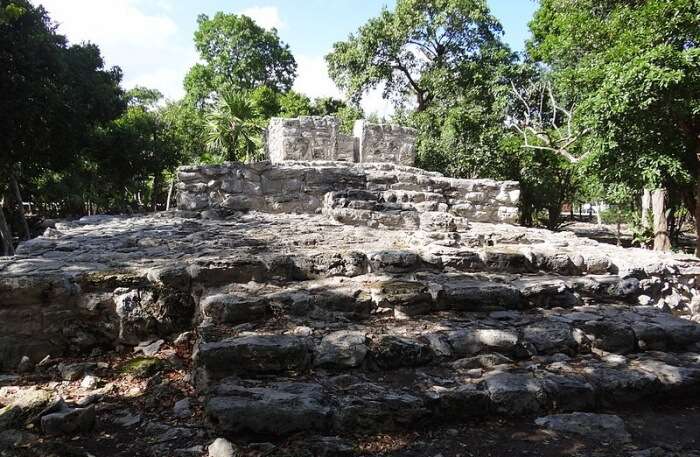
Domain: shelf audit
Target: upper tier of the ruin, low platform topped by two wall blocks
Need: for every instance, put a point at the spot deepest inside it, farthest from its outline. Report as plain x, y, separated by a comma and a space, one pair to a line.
367, 180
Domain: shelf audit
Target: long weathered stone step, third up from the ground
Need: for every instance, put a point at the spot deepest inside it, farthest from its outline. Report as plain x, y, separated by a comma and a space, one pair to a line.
409, 294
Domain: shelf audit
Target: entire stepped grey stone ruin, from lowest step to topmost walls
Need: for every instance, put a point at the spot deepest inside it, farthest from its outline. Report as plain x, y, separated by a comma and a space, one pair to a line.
330, 299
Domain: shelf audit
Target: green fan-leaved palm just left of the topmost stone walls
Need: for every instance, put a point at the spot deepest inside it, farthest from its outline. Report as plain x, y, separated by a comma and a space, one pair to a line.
233, 130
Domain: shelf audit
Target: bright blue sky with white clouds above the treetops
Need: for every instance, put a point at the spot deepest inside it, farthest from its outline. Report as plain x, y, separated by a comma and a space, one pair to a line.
152, 40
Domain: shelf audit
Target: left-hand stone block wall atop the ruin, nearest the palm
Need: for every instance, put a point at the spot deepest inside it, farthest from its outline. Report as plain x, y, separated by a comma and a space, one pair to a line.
308, 138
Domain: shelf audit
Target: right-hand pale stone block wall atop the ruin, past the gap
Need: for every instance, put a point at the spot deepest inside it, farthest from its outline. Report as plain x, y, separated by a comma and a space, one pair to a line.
385, 143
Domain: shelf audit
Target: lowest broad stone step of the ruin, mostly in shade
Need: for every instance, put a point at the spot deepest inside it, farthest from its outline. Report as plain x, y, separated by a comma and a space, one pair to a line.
368, 403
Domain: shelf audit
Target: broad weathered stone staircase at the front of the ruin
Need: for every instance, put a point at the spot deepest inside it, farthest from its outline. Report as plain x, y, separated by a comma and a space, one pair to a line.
401, 340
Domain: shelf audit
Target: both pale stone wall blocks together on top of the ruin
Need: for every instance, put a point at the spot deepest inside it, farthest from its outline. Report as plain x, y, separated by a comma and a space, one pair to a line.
310, 138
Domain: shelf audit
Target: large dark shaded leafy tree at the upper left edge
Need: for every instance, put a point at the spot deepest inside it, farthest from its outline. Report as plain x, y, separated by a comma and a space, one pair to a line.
52, 98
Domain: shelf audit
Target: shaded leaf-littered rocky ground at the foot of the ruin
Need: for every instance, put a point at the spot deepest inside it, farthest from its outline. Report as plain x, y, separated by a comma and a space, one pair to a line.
150, 410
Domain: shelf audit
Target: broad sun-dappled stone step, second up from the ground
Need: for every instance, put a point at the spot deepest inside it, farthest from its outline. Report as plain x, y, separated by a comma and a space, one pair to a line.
383, 343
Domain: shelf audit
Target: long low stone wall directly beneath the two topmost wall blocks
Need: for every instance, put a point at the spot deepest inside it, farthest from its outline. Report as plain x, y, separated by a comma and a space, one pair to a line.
300, 187
